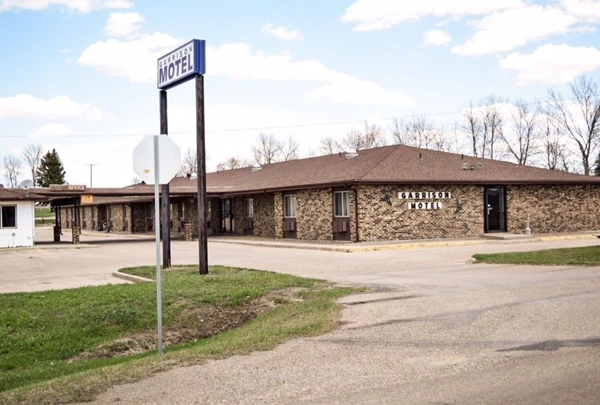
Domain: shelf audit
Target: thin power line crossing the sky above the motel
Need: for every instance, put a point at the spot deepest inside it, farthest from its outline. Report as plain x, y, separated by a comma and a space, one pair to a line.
317, 124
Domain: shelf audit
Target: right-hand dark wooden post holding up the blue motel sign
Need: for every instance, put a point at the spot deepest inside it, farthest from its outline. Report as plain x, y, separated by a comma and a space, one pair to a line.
201, 154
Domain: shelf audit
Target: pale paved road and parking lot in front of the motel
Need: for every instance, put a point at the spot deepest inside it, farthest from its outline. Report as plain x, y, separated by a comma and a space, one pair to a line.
435, 330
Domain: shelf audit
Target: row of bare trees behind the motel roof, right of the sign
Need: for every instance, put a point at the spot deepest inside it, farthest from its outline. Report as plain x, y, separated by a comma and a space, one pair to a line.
560, 132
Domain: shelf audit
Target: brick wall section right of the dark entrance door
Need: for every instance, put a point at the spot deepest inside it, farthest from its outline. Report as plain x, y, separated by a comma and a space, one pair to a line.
559, 208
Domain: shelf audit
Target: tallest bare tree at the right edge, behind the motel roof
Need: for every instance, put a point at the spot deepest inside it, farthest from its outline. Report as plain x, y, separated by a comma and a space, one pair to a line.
578, 119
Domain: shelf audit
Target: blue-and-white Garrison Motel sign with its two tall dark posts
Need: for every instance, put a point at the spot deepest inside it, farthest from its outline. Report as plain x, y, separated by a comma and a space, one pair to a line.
178, 66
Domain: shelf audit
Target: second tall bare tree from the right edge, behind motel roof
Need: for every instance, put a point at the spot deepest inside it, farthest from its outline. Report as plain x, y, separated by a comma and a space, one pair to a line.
521, 143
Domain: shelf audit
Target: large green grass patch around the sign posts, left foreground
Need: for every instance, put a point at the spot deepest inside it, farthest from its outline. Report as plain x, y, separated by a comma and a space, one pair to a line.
40, 332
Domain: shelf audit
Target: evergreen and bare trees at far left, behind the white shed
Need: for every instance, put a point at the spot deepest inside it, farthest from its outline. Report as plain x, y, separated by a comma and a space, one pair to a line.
44, 169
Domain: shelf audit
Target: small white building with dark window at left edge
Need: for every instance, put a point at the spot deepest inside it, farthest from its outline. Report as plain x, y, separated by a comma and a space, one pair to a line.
17, 217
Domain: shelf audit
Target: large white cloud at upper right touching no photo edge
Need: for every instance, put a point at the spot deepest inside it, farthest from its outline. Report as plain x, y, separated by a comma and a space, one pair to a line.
509, 29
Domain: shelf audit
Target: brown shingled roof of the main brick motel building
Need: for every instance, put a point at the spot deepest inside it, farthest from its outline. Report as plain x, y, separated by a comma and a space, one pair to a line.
395, 164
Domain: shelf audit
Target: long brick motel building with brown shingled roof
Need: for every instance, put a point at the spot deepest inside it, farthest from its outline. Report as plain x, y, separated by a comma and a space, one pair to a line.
389, 193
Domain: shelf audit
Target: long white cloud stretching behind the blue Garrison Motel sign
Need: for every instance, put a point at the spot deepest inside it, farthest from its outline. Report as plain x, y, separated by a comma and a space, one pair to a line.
136, 60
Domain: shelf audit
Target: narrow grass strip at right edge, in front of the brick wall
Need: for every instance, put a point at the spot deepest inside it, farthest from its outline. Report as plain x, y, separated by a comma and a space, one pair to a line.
583, 256
